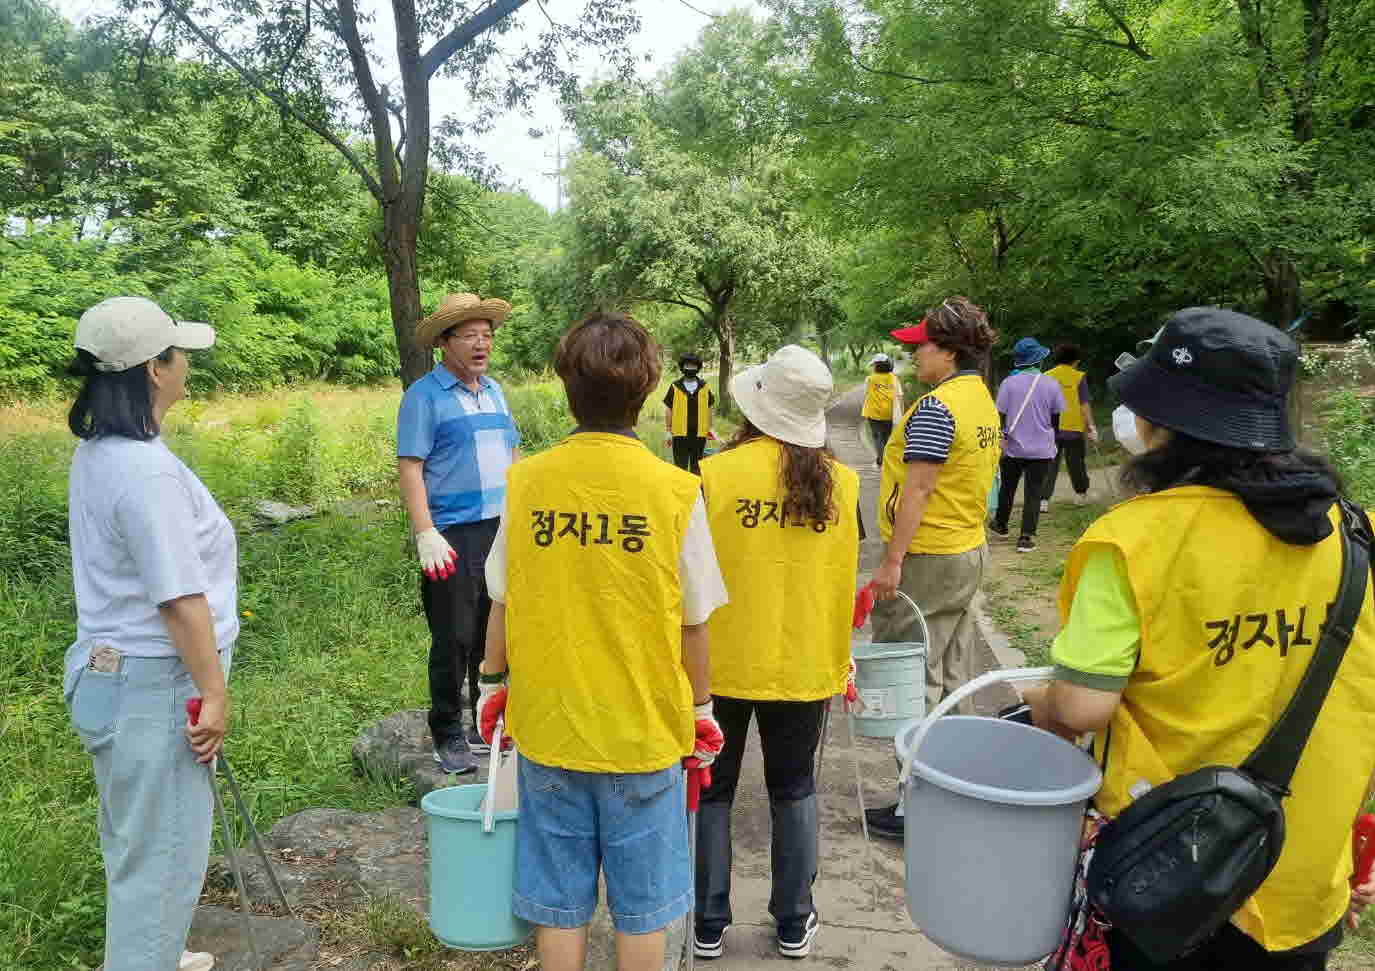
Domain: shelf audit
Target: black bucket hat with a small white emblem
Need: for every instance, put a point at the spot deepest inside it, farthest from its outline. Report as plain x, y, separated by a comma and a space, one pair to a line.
1218, 376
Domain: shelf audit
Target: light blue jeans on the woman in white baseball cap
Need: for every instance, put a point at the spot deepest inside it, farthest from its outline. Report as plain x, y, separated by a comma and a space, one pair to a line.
156, 805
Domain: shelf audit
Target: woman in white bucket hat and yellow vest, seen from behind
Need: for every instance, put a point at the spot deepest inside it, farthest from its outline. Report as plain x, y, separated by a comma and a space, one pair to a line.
786, 521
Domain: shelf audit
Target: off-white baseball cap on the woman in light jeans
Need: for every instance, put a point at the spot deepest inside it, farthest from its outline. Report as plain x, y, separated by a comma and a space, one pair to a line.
126, 332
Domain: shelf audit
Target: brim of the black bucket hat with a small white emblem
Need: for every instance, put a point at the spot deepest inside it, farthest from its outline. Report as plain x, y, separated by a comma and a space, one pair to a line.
1201, 411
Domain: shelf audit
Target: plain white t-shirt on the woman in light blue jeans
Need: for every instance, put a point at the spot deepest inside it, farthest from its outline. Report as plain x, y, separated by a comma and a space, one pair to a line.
145, 532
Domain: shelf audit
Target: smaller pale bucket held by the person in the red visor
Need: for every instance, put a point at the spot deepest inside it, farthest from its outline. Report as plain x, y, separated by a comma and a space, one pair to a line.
892, 680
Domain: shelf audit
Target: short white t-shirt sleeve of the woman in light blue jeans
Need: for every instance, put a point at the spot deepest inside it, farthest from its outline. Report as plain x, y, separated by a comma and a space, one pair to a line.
157, 521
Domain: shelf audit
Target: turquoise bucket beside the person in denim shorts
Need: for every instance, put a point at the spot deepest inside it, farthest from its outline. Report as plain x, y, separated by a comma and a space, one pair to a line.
472, 873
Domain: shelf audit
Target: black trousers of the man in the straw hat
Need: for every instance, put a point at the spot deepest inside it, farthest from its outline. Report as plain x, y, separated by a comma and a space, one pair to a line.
457, 614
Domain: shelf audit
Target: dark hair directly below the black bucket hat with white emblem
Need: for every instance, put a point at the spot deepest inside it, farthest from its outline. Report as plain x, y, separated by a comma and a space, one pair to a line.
1185, 460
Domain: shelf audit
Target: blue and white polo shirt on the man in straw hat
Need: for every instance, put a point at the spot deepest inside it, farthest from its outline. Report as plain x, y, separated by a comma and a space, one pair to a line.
465, 438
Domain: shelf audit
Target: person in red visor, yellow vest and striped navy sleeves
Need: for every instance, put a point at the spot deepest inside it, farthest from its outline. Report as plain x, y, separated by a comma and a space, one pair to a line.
933, 503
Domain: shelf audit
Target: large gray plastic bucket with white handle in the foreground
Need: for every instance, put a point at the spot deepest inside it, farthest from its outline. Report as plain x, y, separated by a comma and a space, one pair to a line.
993, 819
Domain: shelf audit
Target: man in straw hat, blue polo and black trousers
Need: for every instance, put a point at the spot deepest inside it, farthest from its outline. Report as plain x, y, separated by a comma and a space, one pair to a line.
456, 439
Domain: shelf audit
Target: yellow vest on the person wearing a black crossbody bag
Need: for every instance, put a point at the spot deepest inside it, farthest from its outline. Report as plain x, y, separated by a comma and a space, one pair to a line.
1230, 620
